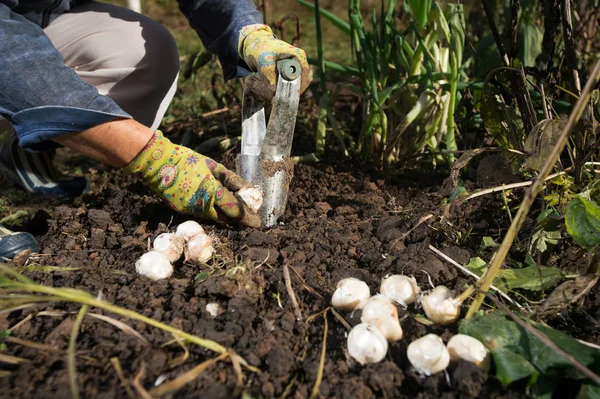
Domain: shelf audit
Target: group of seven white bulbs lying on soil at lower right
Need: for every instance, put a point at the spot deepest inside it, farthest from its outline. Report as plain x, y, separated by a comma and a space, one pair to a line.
368, 341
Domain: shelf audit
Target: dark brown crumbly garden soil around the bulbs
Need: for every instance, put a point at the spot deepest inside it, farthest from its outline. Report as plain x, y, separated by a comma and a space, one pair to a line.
343, 220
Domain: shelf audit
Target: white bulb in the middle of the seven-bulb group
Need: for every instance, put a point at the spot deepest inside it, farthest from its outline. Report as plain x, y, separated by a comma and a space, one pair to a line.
381, 313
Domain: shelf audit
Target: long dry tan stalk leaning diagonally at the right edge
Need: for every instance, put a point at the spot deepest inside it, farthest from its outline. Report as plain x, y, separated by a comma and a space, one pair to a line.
532, 192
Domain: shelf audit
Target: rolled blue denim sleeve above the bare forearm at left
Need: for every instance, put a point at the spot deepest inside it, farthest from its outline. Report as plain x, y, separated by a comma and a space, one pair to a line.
39, 95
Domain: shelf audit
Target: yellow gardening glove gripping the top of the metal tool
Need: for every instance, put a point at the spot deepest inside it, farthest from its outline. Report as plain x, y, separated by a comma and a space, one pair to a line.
261, 50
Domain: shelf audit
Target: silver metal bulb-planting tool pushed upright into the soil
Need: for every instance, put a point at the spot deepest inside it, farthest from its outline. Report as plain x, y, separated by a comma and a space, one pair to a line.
265, 156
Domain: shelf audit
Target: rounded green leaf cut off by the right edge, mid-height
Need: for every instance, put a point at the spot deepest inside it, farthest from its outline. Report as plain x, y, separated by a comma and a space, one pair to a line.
583, 220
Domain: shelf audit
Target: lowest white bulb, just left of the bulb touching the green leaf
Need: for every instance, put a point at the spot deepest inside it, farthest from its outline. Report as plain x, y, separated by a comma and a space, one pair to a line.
428, 354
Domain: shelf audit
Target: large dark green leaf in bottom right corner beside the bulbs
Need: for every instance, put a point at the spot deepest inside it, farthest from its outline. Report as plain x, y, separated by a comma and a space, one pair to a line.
518, 354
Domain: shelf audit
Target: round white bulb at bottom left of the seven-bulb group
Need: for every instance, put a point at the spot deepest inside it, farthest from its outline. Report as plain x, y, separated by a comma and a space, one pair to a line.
366, 344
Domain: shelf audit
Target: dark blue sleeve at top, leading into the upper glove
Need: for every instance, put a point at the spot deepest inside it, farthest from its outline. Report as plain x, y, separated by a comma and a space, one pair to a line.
218, 23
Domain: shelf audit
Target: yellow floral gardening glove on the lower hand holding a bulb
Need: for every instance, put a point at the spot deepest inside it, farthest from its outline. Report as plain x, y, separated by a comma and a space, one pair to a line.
192, 183
